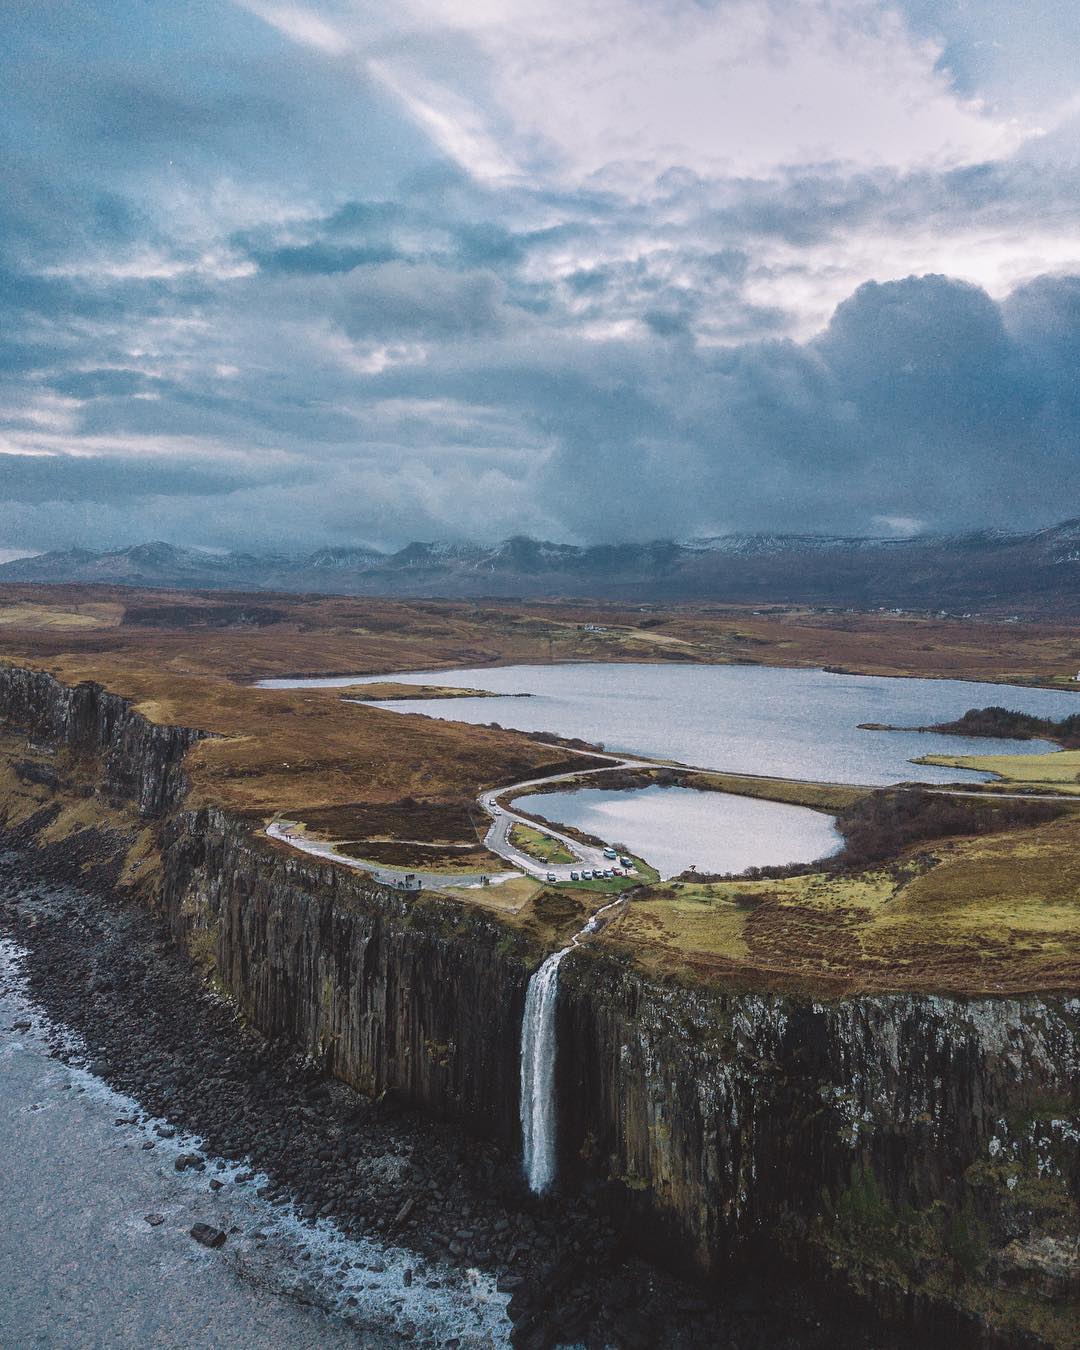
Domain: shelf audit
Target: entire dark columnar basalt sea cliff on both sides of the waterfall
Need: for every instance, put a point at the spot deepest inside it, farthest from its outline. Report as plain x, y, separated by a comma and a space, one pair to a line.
924, 1150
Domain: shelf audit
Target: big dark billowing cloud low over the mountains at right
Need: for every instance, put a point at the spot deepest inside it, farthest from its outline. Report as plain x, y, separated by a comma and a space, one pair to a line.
917, 402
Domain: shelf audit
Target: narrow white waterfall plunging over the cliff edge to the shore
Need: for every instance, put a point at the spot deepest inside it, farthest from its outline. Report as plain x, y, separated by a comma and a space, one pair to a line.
538, 1062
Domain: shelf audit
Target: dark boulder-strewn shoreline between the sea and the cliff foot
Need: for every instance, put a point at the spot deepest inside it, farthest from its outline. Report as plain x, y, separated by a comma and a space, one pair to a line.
159, 1032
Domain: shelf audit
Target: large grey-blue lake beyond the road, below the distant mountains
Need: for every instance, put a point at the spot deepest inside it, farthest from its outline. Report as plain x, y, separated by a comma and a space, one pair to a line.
745, 719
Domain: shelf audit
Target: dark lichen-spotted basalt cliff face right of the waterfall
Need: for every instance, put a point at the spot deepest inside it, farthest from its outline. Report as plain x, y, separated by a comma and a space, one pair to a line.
928, 1147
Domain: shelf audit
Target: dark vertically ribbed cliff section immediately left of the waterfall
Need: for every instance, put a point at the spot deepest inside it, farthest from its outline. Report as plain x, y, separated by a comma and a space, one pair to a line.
391, 993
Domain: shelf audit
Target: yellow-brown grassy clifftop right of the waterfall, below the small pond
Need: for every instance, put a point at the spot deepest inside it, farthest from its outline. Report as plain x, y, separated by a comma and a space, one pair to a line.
998, 915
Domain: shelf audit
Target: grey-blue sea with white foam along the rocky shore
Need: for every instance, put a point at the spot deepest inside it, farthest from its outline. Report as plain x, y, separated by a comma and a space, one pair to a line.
80, 1266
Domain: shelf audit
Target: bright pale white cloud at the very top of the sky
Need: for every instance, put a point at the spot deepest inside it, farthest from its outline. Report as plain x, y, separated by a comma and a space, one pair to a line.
624, 90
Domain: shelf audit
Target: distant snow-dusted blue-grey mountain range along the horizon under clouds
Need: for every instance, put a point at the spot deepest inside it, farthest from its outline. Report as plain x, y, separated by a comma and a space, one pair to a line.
989, 572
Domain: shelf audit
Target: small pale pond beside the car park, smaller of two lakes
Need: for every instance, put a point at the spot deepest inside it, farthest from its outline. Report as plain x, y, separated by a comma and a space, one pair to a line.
674, 828
